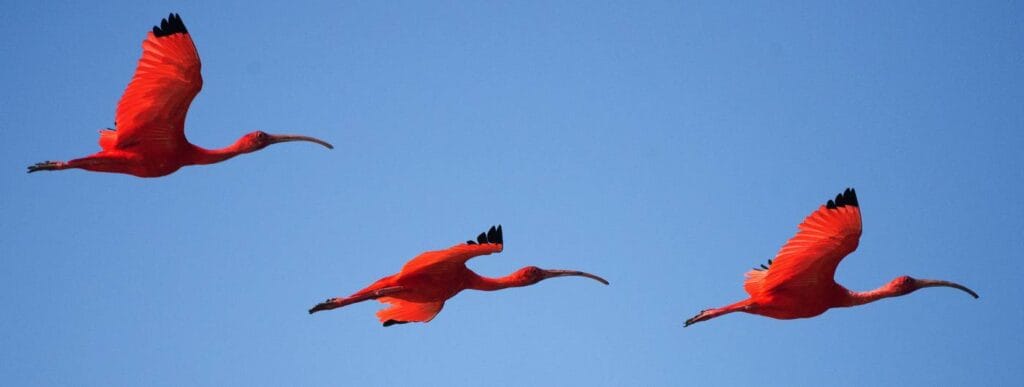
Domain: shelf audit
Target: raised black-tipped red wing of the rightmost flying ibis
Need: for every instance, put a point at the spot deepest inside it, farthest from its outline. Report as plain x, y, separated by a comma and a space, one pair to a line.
810, 259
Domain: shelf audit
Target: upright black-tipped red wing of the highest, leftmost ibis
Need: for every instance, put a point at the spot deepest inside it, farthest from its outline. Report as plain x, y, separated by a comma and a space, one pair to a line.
152, 112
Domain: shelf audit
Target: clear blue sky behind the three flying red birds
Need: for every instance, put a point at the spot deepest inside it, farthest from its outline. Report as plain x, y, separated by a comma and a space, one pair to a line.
668, 147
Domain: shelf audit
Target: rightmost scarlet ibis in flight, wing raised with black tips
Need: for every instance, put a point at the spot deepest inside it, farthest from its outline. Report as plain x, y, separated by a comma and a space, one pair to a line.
800, 283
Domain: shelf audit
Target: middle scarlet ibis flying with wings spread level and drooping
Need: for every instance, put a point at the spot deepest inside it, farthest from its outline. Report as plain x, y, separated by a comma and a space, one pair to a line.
419, 291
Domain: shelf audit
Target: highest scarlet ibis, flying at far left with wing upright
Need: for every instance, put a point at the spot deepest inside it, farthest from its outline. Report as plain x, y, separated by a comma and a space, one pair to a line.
150, 140
